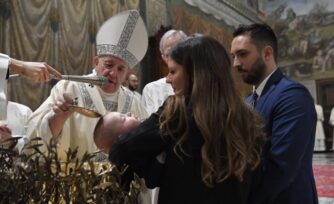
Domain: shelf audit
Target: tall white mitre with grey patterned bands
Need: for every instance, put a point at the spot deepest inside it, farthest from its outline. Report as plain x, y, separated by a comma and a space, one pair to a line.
124, 36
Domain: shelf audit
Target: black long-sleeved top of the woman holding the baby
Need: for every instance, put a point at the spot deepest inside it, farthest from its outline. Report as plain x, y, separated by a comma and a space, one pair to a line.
179, 180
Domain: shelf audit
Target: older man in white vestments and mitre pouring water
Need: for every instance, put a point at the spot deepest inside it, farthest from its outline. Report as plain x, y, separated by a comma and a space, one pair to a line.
121, 43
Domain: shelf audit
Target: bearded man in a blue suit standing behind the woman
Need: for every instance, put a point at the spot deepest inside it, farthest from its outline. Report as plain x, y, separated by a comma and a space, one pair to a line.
289, 114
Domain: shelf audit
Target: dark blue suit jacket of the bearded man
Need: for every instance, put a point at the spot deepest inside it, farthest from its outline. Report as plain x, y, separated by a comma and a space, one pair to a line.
290, 121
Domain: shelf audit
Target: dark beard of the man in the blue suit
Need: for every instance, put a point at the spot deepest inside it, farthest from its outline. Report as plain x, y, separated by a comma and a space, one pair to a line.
255, 73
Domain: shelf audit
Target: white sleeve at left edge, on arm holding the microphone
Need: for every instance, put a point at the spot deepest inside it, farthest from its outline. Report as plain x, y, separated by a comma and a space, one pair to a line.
4, 61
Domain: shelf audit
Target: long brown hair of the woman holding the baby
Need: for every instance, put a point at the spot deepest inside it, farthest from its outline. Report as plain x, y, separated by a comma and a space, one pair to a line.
231, 130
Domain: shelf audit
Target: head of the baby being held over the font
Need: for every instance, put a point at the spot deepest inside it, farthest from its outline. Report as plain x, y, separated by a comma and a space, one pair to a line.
112, 125
